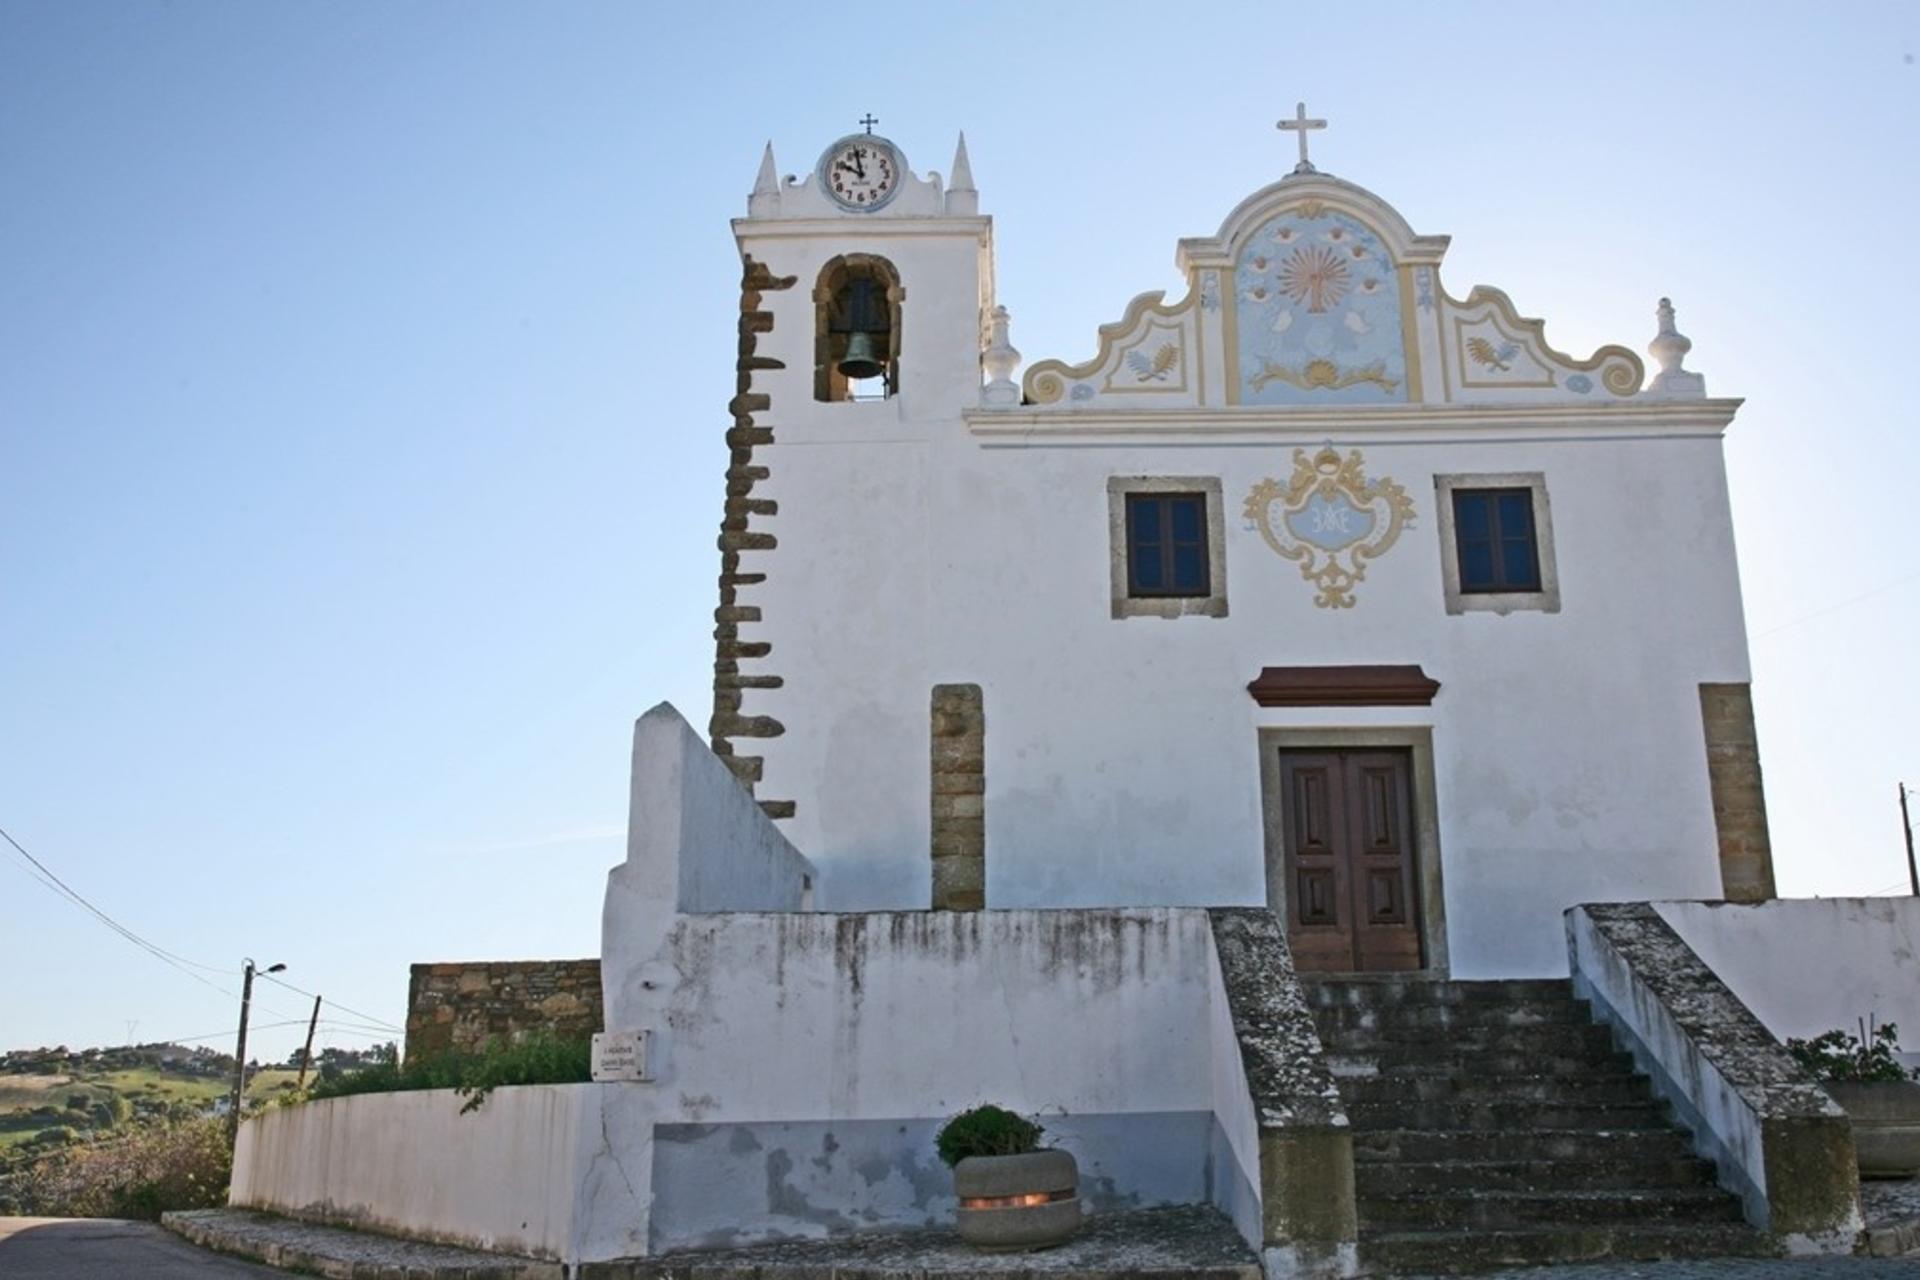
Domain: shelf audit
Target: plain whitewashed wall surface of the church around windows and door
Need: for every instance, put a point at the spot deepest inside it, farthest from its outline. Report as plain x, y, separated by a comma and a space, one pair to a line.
1122, 761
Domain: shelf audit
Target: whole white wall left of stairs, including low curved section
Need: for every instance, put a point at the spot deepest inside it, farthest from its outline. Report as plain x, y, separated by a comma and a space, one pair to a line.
802, 1068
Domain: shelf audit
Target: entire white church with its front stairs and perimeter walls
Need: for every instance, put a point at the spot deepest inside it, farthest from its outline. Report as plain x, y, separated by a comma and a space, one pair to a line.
1303, 755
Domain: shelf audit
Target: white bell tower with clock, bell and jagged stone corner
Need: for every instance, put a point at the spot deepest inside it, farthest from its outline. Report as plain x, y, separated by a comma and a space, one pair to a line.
865, 308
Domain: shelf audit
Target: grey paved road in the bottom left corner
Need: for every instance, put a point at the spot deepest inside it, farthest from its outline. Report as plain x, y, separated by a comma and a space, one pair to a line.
110, 1250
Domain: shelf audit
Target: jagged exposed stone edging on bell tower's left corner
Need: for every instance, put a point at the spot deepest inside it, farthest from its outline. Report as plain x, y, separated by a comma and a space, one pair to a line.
738, 536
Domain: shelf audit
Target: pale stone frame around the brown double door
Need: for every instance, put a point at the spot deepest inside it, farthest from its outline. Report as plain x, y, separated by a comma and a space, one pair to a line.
1416, 742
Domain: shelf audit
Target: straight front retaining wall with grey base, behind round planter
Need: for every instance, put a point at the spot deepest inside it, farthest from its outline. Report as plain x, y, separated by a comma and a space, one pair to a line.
804, 1062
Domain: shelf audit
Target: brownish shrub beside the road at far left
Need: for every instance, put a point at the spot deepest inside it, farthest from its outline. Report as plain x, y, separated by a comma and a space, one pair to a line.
137, 1177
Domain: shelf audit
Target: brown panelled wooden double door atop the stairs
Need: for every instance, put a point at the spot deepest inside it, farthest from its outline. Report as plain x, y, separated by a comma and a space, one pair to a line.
1349, 847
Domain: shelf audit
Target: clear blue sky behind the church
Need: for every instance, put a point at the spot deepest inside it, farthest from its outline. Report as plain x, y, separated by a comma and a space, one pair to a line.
364, 377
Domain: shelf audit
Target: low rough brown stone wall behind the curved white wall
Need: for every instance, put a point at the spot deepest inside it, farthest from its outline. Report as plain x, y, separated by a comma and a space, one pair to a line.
460, 1007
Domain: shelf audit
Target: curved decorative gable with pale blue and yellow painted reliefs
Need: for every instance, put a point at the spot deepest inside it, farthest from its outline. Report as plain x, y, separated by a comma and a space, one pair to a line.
1318, 295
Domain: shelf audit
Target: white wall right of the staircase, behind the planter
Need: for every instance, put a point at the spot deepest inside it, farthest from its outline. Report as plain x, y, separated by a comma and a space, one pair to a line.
1813, 964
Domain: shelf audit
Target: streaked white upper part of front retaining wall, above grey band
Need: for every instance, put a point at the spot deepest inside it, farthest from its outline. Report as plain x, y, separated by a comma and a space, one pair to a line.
802, 1018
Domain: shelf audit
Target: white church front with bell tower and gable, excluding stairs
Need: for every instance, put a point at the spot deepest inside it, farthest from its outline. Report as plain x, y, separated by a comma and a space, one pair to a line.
1312, 588
